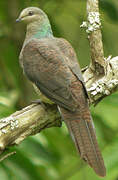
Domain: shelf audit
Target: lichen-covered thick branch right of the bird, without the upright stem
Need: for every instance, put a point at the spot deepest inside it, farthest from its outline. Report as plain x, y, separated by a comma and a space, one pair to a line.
98, 88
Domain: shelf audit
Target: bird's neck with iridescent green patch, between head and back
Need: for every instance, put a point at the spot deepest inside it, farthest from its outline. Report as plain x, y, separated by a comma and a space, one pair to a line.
38, 30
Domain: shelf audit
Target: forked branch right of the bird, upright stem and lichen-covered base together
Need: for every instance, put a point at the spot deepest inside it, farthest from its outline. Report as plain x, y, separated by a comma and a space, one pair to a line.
100, 77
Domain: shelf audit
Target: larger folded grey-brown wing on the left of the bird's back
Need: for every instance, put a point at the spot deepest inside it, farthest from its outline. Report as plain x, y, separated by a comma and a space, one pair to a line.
45, 65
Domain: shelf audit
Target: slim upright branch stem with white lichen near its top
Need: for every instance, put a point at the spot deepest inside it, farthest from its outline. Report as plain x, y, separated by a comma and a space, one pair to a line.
98, 63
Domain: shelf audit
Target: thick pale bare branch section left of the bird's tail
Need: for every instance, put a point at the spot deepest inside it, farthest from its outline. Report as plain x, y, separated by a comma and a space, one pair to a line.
28, 121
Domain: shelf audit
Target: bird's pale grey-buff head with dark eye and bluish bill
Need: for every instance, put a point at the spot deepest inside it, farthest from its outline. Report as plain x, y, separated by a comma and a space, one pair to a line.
31, 14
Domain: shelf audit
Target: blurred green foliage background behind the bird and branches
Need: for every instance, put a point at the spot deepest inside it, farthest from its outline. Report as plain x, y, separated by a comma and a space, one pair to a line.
51, 154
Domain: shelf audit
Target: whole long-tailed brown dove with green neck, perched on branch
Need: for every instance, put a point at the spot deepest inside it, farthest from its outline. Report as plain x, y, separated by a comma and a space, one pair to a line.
51, 64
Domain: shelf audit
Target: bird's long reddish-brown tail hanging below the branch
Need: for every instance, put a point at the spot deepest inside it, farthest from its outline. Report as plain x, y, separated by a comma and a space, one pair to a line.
81, 128
